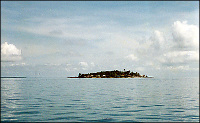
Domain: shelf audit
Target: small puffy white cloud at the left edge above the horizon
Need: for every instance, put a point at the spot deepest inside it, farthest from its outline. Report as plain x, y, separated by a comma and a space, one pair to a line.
9, 52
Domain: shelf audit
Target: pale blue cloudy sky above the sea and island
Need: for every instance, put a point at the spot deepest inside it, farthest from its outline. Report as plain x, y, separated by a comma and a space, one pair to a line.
64, 38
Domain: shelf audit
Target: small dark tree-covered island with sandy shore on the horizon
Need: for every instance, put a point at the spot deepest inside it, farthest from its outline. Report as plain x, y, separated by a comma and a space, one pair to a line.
112, 74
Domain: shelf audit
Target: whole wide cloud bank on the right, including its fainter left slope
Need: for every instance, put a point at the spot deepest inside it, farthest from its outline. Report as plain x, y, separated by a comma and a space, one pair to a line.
164, 51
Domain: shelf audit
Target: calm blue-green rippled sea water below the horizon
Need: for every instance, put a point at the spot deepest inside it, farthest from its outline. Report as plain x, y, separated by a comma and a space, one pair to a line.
101, 100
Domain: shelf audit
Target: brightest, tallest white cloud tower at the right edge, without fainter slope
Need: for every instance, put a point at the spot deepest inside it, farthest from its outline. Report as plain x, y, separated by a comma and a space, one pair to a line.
186, 44
